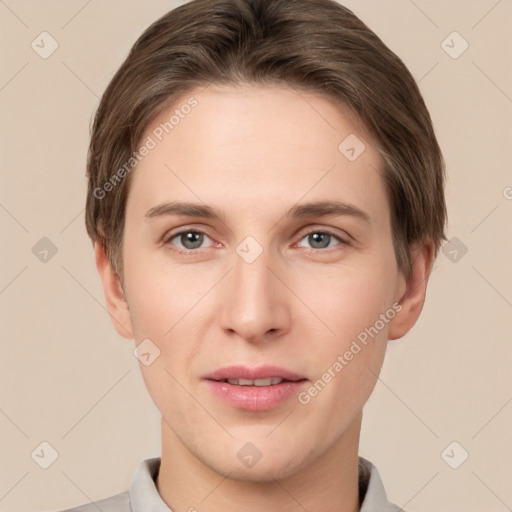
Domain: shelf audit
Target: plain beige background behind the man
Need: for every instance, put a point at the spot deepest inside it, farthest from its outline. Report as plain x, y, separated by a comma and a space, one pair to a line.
68, 379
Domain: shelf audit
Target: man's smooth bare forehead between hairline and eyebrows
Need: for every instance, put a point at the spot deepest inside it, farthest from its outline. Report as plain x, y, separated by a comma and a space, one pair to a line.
257, 147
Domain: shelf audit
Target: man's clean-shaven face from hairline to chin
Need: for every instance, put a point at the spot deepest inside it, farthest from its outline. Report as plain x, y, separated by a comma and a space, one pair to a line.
257, 248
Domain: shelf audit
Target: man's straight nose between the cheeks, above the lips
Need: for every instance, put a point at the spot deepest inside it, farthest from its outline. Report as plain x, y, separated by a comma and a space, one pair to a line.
254, 300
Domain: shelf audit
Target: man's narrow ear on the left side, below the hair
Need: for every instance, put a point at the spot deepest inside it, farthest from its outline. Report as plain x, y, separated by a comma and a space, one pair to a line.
114, 296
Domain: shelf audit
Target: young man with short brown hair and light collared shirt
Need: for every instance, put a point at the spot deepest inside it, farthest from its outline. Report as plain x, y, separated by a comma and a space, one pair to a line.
266, 198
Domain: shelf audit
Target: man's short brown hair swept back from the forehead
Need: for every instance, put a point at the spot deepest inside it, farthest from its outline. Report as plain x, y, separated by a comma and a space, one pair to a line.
316, 46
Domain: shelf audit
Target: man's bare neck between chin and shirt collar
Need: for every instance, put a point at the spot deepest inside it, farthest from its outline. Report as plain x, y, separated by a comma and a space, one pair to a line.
327, 483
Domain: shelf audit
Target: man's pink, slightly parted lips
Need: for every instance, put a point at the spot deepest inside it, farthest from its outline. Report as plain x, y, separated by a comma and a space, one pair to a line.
254, 398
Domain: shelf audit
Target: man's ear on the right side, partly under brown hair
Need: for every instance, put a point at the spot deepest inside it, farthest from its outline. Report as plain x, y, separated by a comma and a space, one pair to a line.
413, 289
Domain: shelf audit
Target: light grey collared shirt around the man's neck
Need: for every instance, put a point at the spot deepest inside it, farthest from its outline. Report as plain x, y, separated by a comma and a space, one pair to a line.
143, 495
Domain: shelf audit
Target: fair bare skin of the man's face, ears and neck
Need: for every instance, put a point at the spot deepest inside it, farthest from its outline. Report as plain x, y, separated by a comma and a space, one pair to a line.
254, 152
